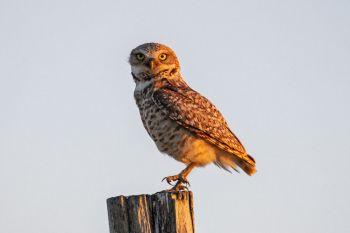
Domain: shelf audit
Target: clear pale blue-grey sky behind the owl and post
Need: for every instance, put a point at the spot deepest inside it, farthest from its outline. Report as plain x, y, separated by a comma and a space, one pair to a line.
71, 136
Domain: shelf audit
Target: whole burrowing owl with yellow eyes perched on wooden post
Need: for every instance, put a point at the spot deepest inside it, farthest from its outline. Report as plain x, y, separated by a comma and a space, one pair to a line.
181, 122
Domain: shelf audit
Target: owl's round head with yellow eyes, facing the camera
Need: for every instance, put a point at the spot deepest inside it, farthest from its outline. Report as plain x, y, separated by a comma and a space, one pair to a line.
151, 59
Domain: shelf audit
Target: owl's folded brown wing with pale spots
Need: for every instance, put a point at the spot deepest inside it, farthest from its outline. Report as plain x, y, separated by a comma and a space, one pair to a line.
199, 115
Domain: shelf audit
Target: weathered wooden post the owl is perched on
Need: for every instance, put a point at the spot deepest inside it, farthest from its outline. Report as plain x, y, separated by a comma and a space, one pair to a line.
163, 212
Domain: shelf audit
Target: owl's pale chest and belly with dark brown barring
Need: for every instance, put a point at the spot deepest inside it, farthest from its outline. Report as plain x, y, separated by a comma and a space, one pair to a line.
166, 133
